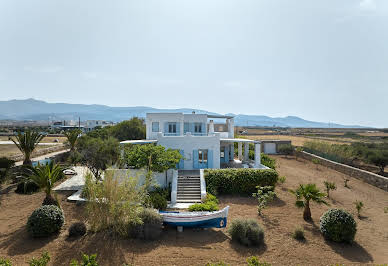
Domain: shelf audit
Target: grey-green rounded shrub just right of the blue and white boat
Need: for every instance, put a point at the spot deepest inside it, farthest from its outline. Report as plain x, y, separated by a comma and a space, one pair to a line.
247, 232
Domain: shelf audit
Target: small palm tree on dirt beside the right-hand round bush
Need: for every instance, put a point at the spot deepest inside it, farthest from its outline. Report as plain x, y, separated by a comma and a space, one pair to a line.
306, 193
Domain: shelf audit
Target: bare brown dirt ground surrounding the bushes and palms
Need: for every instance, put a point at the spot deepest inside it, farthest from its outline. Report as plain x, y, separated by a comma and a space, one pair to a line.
198, 247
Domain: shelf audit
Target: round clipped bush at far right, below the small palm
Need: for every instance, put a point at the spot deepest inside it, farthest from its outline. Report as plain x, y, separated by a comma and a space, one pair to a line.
338, 225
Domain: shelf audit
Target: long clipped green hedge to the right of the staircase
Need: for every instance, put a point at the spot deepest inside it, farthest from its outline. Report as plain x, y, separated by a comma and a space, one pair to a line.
238, 181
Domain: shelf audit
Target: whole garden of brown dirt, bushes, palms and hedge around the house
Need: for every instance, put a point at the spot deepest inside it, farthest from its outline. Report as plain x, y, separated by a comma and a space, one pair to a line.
274, 216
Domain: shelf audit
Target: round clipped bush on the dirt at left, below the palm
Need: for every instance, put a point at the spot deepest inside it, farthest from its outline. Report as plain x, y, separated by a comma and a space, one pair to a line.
45, 221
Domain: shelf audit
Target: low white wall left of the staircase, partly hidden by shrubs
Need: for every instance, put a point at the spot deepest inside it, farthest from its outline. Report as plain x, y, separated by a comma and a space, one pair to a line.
162, 179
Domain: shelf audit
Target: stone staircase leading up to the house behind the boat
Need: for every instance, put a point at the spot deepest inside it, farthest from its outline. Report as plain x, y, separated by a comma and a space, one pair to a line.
189, 187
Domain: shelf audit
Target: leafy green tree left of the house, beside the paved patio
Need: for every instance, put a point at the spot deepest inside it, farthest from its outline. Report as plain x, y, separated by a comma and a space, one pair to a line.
97, 154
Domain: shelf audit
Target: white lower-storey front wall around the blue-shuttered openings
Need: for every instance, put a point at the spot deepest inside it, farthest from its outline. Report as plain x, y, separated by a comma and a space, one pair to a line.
188, 143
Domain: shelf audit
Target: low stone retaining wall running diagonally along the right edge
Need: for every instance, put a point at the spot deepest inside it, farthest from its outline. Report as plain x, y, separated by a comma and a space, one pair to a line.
368, 177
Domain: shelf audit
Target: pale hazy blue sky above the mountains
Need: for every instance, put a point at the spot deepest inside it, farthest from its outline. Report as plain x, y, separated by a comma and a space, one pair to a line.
322, 60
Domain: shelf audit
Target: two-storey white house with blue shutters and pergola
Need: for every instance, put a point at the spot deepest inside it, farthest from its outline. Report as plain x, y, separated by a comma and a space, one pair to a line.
195, 138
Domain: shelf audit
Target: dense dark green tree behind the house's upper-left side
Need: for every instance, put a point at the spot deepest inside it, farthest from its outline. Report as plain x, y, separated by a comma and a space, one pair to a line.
130, 129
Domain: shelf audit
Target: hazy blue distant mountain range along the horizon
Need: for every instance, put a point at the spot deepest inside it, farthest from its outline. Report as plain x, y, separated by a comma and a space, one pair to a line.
31, 109
